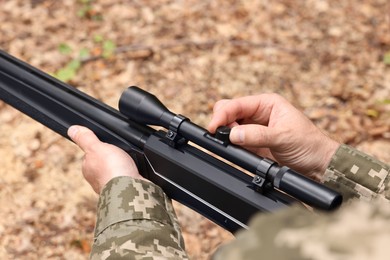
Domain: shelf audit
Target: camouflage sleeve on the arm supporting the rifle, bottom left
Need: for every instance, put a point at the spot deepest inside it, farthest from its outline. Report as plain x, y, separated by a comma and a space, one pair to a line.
136, 220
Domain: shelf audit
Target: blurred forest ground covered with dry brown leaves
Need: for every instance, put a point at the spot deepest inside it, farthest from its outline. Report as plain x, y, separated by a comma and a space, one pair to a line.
330, 58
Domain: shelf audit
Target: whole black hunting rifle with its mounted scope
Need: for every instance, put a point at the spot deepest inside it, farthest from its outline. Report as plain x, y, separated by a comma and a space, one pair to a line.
199, 180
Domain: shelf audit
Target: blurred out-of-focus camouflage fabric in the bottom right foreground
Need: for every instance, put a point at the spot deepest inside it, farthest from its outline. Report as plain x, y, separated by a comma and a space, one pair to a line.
360, 230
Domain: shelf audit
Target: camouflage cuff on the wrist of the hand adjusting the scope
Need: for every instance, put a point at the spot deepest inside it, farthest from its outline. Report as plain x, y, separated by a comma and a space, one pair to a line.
358, 175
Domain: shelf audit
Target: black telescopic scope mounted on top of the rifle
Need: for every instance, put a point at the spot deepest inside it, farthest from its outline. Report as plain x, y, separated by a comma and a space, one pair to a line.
143, 107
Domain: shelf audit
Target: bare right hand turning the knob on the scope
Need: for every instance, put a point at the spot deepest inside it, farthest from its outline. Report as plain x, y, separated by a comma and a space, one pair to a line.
270, 126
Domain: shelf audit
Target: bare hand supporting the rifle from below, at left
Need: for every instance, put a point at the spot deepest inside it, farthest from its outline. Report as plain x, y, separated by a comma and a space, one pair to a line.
102, 161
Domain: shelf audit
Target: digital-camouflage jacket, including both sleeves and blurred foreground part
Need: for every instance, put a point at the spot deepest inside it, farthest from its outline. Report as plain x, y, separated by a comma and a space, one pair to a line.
136, 220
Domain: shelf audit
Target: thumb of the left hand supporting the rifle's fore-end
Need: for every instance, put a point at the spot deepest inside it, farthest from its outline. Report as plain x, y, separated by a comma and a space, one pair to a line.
83, 137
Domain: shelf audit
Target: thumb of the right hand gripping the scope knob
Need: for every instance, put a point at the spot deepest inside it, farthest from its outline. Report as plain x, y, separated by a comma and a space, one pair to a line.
252, 136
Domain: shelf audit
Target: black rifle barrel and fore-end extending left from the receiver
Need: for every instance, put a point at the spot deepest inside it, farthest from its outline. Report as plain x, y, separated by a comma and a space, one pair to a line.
58, 105
